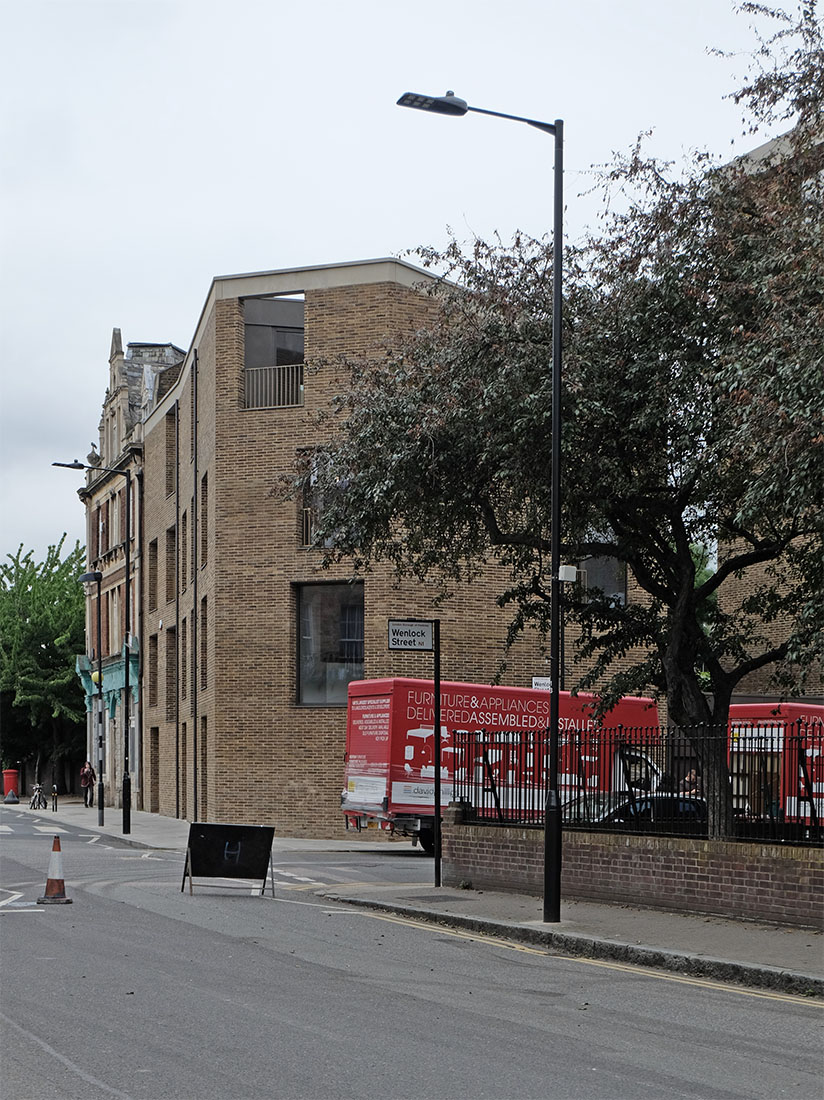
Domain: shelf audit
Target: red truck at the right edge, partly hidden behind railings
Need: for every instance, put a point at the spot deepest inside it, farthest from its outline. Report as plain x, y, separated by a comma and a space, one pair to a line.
777, 762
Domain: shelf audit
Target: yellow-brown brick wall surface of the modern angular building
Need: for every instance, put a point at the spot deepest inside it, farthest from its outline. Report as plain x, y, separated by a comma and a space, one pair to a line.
268, 760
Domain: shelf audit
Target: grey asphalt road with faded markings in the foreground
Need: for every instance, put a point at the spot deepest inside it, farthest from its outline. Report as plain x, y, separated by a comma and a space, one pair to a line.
140, 991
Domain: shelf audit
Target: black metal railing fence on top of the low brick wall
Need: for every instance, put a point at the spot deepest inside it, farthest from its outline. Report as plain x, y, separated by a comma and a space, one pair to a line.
652, 780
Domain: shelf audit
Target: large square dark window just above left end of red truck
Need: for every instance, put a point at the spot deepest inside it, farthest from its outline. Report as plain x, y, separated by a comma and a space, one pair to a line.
331, 642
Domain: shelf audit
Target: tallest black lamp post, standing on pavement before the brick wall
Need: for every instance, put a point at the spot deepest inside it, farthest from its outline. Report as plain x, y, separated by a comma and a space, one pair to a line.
452, 105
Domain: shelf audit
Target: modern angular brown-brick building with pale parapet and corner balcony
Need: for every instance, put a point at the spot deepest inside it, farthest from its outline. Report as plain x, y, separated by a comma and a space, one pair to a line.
248, 645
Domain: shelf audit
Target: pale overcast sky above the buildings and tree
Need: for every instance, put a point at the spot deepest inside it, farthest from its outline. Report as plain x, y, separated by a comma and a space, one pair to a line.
149, 146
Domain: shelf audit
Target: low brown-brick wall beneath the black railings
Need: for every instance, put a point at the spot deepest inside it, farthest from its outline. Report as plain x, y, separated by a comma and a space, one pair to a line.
782, 884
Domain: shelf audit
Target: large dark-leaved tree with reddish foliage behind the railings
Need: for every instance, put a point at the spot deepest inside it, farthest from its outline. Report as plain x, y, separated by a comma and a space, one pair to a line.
691, 412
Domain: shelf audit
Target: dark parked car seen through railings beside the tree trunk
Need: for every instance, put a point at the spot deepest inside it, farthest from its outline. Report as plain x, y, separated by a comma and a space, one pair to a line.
660, 812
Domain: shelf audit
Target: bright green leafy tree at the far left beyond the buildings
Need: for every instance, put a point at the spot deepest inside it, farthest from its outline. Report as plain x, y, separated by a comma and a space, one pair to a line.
42, 620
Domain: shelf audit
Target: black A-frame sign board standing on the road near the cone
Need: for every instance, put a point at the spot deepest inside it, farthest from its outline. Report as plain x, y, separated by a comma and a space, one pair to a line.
229, 852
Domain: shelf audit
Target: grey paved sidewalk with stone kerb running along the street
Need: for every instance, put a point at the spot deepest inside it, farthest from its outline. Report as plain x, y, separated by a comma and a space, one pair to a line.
761, 956
